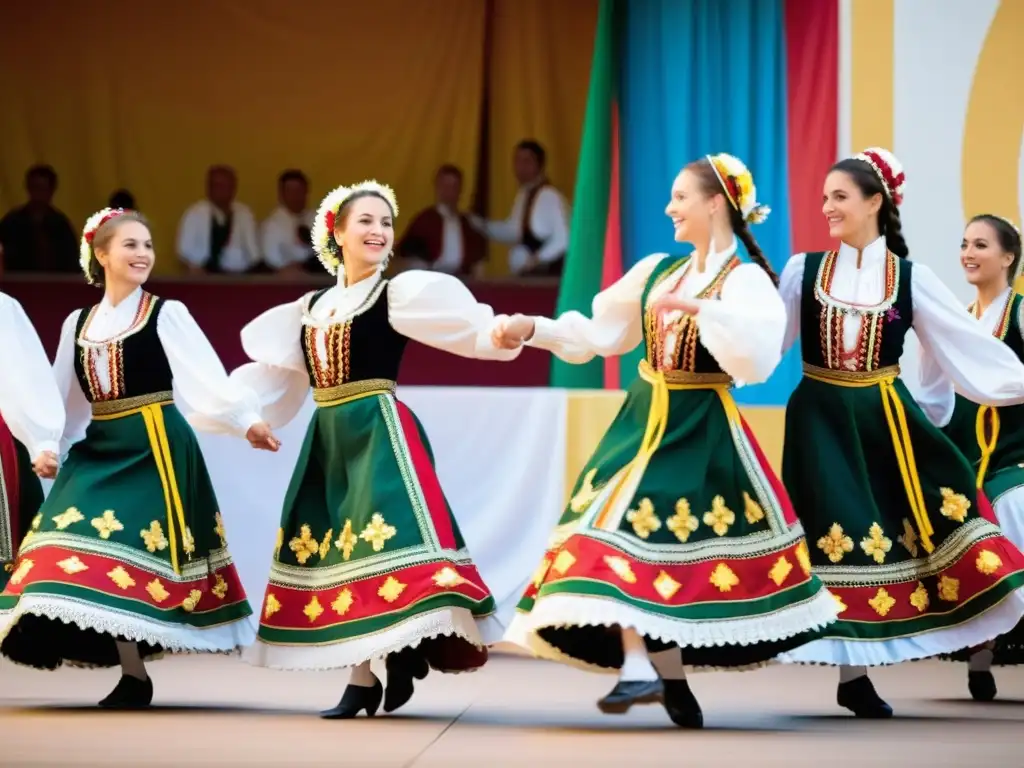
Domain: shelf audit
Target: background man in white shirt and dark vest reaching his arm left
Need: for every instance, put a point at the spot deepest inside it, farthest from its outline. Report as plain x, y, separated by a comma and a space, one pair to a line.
538, 228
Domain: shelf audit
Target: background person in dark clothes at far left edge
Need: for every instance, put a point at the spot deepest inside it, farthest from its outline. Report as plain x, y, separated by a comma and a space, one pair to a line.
38, 238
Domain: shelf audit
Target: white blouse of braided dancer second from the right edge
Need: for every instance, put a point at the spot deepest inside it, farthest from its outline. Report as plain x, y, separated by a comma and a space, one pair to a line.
954, 346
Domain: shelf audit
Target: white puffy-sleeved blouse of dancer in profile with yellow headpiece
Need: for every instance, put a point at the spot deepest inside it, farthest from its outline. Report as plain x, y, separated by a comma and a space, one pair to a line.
743, 330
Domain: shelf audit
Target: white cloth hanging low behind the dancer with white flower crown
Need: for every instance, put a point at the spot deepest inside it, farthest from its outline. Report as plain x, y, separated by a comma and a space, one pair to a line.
501, 459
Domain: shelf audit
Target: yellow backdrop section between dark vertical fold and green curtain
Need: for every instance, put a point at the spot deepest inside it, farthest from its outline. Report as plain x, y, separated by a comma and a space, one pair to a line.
541, 58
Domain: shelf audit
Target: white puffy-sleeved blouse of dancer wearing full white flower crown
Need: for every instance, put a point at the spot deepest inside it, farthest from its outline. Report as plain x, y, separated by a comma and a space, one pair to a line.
434, 309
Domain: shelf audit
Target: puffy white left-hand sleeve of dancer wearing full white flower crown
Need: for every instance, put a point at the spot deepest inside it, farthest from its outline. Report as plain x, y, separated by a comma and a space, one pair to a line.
278, 374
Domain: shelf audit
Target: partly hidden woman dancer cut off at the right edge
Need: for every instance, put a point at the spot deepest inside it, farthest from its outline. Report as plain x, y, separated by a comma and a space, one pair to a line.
992, 439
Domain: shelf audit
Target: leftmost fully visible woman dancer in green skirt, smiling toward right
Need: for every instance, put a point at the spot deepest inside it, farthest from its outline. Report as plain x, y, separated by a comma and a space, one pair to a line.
127, 558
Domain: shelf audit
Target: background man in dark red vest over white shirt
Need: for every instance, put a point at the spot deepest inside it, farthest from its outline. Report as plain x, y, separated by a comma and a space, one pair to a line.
441, 237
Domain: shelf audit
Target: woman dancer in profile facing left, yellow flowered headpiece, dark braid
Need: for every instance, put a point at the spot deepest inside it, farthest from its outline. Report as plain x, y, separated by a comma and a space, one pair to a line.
678, 535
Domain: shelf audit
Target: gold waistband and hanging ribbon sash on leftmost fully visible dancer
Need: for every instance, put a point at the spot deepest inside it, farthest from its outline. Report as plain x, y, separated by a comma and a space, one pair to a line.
151, 408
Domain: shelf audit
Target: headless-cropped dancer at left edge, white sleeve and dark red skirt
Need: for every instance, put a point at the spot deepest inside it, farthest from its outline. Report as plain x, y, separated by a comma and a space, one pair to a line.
31, 423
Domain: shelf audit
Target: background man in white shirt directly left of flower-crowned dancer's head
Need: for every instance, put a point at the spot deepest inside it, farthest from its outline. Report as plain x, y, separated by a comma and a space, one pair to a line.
286, 234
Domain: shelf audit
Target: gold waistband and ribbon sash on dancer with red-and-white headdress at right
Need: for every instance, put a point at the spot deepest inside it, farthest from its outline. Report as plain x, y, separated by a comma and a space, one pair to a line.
899, 430
